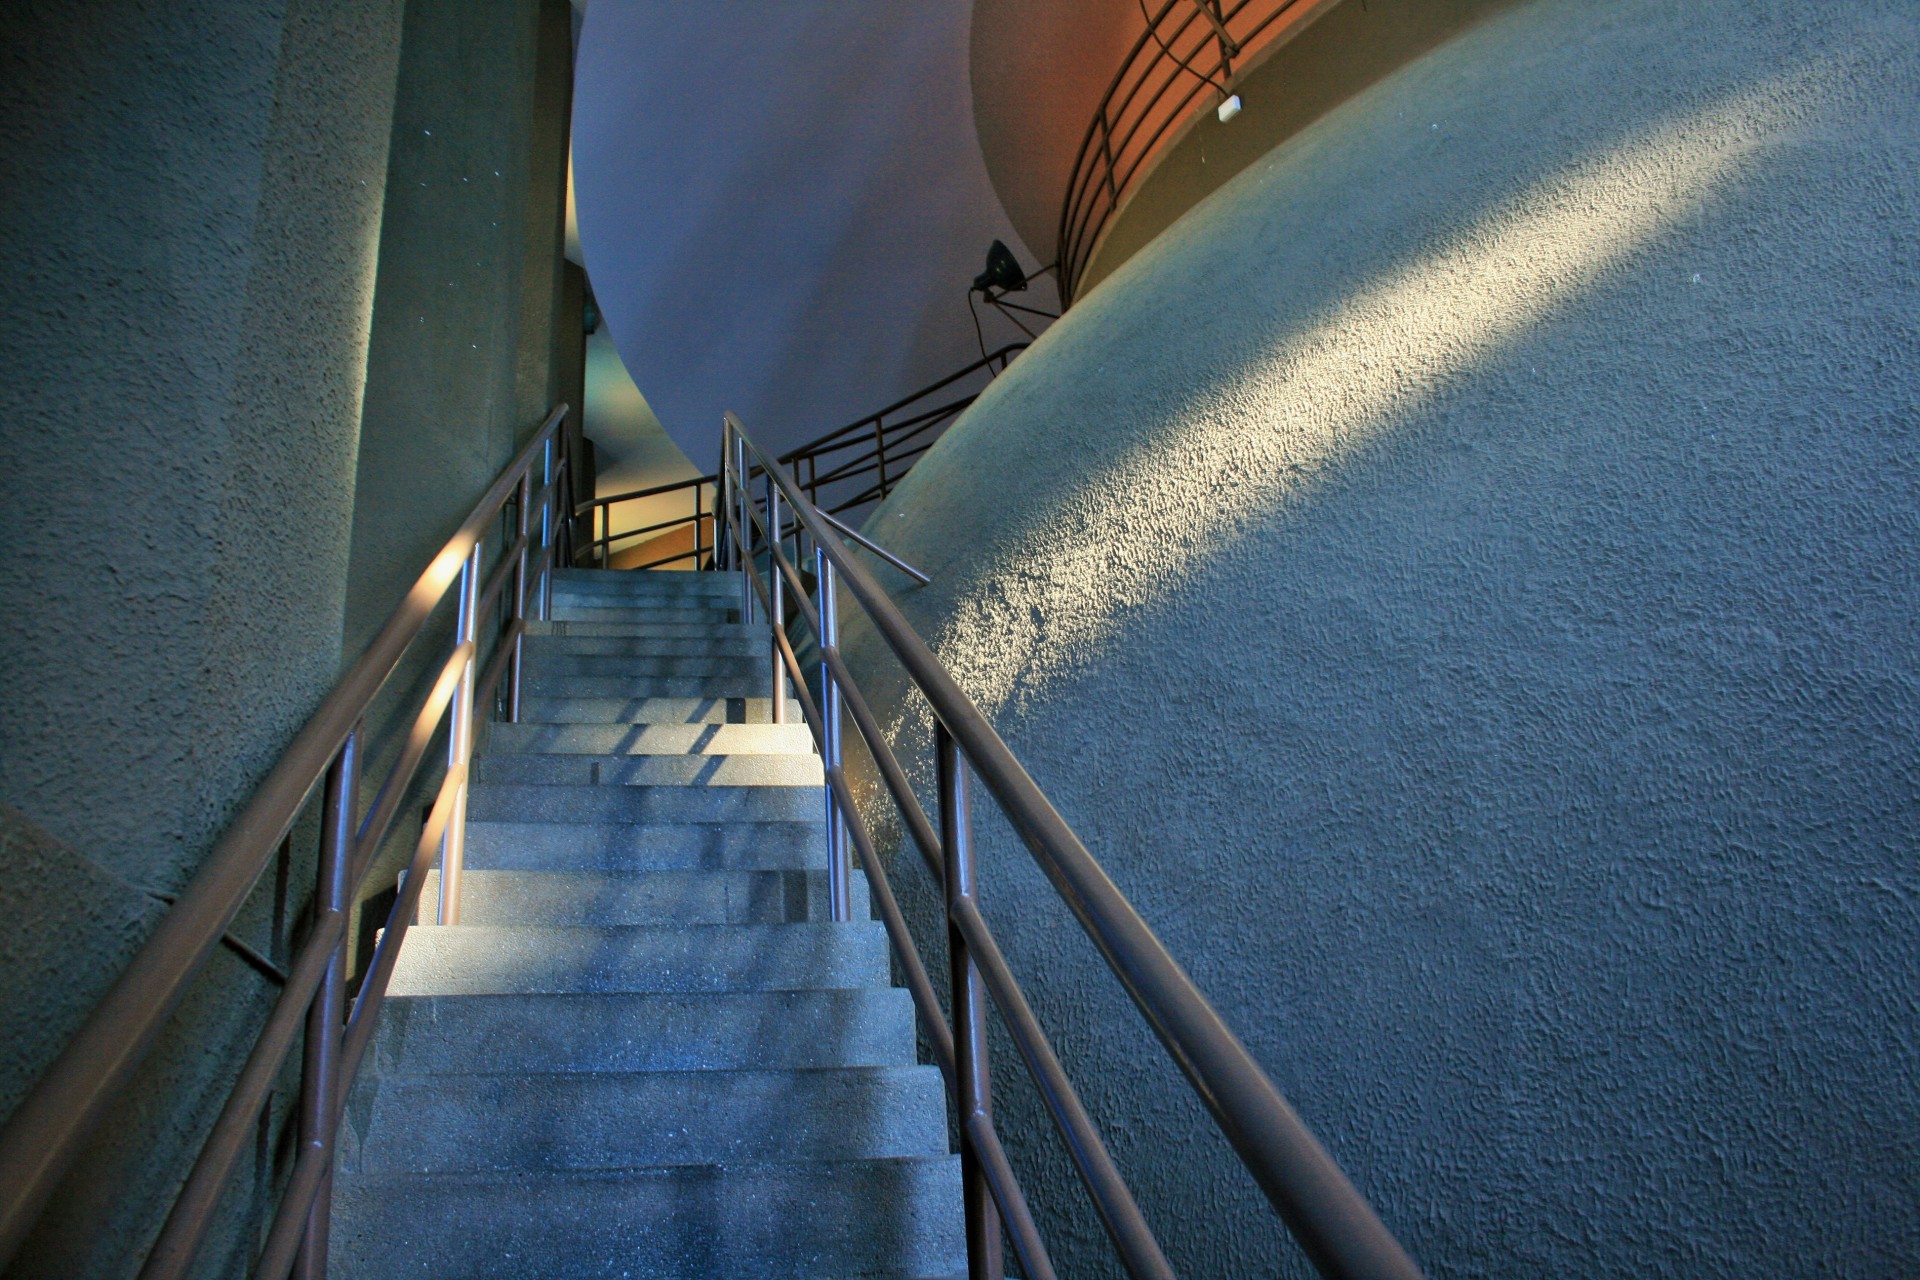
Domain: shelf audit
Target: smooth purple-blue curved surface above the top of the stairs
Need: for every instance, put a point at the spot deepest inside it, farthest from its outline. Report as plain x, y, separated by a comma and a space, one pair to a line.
782, 204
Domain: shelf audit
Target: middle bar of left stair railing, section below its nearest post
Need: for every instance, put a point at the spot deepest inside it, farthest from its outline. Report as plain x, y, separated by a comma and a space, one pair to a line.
193, 1212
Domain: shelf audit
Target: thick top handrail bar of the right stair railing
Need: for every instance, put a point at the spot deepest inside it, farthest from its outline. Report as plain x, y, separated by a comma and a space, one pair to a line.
1328, 1216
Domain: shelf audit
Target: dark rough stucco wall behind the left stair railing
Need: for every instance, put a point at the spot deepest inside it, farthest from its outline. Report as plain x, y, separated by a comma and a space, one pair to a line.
189, 218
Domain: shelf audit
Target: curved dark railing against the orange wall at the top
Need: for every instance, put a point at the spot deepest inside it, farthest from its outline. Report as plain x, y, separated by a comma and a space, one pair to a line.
1189, 49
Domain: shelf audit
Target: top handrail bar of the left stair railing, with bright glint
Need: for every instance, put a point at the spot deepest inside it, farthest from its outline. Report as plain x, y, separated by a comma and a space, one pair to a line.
62, 1108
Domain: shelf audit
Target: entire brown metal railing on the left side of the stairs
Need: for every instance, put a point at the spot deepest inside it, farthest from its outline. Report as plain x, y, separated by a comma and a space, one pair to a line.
62, 1110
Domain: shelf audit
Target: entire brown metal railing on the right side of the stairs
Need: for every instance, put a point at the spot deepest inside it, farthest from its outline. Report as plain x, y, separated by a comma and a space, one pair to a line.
1326, 1214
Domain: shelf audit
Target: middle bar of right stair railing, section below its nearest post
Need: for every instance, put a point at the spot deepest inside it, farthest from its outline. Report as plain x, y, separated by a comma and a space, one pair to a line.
1118, 1212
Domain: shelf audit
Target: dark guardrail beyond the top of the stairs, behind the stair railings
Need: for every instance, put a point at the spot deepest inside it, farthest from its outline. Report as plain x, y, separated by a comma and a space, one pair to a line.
853, 465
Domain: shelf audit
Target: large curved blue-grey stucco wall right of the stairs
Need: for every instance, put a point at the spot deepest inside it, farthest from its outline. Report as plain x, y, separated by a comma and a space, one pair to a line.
1462, 582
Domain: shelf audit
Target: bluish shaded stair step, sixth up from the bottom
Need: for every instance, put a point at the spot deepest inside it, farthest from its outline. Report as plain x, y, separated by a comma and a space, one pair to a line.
635, 847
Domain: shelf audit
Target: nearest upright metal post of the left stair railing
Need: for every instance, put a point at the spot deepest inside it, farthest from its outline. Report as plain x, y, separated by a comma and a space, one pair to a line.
320, 1079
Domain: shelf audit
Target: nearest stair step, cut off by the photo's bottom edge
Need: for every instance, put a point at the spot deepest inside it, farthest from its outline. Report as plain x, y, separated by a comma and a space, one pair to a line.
798, 1221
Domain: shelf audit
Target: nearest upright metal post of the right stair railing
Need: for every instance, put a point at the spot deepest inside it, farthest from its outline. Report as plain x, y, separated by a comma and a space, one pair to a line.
972, 1083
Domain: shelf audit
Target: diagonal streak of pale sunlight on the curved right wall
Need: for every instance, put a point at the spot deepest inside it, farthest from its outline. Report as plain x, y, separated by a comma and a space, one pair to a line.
1245, 452
